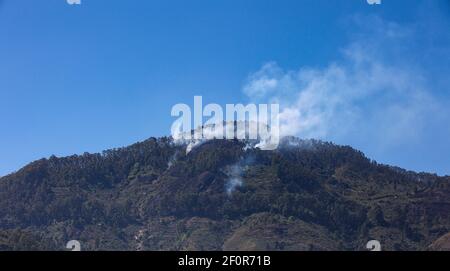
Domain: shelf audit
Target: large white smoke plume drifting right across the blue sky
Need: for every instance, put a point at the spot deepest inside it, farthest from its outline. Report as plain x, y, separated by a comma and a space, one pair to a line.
371, 92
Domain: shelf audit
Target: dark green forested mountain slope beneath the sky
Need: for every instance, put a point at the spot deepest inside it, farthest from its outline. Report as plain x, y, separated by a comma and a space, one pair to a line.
307, 195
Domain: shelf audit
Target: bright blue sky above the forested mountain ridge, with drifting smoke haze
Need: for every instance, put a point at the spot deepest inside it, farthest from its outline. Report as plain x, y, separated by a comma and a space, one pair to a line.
105, 74
